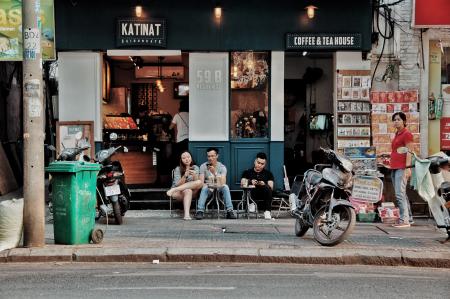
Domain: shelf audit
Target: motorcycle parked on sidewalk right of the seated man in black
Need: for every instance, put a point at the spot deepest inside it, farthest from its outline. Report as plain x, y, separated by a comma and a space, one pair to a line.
323, 203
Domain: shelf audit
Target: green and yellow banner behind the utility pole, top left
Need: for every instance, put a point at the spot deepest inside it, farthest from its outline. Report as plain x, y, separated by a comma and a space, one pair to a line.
11, 40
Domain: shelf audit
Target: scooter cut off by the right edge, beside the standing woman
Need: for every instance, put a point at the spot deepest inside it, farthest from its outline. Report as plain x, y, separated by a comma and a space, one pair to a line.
432, 187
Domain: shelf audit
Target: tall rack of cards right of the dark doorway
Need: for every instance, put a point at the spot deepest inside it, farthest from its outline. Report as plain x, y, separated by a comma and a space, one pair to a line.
353, 108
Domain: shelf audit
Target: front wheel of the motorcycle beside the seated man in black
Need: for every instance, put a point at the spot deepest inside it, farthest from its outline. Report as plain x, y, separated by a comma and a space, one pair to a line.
331, 234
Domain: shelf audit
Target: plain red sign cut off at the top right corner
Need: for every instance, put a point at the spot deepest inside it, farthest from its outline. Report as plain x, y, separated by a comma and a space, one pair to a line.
431, 13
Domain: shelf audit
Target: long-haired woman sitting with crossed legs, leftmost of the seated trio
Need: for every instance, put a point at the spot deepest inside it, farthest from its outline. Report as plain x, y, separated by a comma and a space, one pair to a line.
185, 183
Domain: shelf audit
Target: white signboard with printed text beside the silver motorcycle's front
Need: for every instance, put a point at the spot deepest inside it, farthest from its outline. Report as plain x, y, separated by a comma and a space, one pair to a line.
367, 189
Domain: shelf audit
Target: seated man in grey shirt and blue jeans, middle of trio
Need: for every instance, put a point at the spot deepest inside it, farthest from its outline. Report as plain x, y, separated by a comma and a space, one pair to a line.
214, 172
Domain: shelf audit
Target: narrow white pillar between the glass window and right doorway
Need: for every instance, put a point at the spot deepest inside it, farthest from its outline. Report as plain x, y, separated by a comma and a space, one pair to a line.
277, 97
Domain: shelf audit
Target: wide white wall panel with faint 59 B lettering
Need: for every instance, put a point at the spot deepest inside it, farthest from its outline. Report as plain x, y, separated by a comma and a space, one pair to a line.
208, 97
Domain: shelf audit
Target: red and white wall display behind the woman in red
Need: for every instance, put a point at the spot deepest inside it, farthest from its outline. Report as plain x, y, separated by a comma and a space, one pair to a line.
386, 103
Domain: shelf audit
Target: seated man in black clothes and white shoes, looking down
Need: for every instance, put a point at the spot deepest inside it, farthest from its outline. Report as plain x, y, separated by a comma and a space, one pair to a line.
262, 179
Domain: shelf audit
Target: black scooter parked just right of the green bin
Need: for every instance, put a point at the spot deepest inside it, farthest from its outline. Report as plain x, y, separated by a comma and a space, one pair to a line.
113, 195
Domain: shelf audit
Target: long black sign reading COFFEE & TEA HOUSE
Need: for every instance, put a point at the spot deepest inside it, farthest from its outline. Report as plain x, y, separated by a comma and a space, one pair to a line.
323, 41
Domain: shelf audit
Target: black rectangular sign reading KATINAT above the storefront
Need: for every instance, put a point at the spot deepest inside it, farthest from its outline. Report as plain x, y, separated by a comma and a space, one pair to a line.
141, 32
